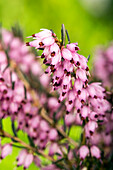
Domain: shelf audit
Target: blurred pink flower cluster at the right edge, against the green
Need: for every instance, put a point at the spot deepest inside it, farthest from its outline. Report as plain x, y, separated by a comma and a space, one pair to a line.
103, 65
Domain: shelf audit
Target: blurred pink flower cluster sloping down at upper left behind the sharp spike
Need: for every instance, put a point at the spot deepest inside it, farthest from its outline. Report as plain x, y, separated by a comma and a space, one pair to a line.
17, 51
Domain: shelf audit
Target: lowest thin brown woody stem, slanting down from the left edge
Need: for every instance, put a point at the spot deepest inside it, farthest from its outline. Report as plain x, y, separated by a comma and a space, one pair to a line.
5, 134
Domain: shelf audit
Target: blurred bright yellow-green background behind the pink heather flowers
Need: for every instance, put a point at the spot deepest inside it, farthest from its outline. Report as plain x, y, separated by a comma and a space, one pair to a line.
89, 22
